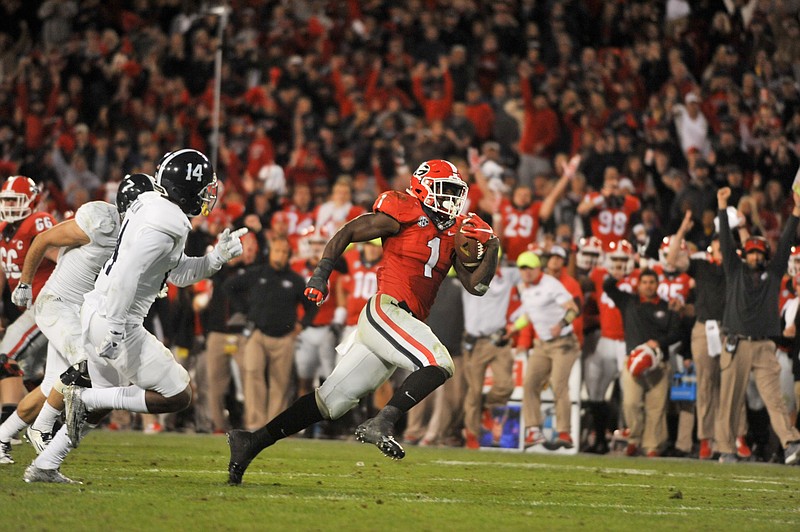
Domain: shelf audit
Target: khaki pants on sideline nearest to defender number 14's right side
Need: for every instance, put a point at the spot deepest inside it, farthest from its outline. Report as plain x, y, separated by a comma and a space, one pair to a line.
220, 347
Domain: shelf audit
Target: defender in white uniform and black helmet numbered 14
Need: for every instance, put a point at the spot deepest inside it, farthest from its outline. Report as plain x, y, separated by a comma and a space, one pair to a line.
149, 252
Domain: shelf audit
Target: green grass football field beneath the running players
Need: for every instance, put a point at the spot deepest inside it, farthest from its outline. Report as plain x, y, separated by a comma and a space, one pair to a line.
178, 482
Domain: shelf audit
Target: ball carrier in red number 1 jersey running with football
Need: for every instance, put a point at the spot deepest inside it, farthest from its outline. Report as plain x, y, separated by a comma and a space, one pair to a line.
418, 230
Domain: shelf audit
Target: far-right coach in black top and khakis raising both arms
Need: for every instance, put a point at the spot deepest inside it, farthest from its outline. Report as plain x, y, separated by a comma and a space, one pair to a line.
751, 317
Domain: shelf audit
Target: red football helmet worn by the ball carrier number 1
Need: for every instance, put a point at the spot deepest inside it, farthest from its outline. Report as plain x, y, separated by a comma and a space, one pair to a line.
439, 187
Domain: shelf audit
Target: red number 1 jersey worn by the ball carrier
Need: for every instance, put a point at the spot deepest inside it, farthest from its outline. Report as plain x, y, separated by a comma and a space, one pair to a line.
418, 257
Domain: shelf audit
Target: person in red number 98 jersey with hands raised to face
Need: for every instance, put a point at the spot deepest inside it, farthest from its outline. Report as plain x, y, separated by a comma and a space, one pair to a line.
611, 210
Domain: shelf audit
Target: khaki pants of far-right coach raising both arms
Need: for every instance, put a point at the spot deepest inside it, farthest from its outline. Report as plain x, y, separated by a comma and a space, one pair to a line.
759, 357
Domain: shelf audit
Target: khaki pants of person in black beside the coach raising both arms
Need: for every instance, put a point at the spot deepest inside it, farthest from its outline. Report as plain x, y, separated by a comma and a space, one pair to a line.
708, 379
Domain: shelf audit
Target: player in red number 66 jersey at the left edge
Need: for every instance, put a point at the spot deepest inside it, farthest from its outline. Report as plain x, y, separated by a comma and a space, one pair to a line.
23, 342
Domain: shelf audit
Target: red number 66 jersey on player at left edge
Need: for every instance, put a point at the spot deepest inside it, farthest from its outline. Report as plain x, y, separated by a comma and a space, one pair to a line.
14, 245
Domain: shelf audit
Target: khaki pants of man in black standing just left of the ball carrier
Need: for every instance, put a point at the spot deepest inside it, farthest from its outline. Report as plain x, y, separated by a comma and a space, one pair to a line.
262, 352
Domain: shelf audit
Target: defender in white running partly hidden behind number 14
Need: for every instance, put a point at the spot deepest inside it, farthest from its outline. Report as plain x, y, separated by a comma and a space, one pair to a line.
86, 242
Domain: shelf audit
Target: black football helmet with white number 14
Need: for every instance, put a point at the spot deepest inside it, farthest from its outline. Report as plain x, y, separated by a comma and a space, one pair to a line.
186, 178
